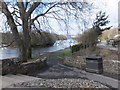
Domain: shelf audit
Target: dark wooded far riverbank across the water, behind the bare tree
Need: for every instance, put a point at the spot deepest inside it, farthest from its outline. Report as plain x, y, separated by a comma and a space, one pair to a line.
41, 39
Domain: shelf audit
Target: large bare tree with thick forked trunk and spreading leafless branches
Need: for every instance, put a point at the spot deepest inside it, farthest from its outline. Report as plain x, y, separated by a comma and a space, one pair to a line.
30, 15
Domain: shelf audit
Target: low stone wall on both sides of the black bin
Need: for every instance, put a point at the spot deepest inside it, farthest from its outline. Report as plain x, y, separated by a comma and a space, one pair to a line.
109, 66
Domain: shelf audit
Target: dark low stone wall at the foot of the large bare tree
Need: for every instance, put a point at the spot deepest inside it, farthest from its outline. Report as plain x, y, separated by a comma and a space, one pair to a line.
13, 66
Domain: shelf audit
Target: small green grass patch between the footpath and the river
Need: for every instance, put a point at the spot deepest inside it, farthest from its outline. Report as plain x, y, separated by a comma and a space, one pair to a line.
62, 54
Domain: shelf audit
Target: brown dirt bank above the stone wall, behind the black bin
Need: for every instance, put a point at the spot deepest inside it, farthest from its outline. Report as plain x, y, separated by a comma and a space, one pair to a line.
106, 54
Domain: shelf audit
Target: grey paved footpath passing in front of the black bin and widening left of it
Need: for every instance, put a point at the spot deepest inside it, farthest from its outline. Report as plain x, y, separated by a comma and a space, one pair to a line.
58, 70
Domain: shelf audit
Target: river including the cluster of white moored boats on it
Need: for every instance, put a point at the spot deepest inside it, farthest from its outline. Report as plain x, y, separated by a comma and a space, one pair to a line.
58, 45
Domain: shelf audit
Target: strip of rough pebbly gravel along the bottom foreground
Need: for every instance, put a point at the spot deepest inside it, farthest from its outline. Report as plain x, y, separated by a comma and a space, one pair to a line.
62, 83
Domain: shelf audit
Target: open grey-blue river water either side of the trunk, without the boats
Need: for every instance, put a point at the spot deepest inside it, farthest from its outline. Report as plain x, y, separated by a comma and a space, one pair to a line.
14, 53
